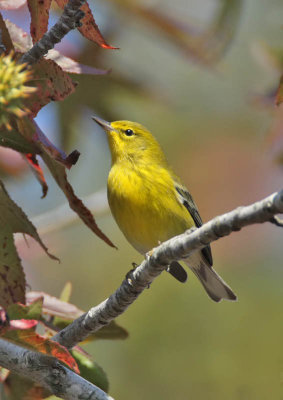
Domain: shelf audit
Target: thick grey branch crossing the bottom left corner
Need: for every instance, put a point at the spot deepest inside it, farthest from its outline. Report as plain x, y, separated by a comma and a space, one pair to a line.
49, 372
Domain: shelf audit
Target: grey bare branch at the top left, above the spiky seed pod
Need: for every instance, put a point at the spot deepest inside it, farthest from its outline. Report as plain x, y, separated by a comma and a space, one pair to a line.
70, 19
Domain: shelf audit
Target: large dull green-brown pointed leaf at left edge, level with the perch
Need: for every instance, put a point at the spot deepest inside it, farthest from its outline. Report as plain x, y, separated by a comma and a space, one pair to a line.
12, 278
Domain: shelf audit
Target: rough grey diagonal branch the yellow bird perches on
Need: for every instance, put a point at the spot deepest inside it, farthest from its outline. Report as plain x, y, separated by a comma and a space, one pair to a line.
174, 249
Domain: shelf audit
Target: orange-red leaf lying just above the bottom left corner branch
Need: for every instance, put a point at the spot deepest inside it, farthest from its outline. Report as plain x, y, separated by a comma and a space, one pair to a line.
31, 340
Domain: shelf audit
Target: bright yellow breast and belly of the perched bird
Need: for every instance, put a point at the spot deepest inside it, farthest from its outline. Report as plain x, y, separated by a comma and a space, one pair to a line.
145, 206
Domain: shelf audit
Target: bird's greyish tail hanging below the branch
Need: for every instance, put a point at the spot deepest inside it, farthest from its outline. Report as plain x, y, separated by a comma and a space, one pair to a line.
214, 285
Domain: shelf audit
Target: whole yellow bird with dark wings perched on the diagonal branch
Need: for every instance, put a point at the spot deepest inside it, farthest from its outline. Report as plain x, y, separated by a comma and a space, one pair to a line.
150, 204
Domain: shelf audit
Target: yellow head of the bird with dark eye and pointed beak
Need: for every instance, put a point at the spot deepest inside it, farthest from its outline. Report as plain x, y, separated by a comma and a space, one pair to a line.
131, 141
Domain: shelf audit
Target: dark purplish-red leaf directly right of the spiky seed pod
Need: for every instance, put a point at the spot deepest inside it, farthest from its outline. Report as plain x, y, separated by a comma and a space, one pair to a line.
53, 84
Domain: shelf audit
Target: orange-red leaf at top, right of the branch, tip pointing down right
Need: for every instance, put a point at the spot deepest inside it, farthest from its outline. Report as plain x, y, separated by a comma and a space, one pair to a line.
89, 29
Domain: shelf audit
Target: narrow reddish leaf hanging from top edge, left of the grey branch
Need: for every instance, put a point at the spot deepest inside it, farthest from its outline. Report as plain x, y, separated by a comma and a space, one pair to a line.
39, 14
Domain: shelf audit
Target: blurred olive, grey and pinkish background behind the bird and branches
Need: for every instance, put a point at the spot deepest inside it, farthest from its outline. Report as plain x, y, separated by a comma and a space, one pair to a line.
221, 134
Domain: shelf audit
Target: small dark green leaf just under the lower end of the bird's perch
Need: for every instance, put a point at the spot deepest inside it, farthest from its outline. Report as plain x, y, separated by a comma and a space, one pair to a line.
91, 371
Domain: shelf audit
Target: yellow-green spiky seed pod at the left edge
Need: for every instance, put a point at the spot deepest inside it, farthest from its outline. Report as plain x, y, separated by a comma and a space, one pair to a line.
13, 91
